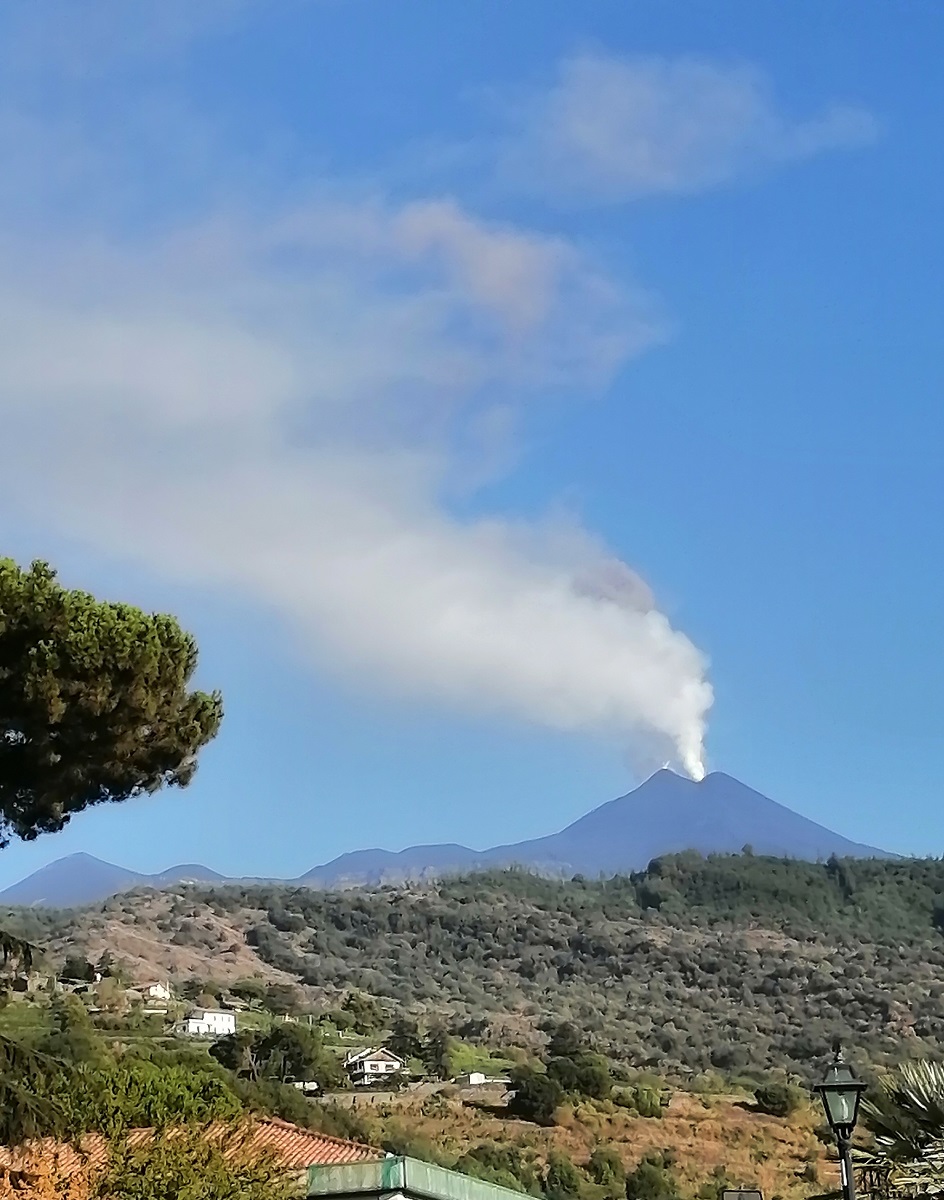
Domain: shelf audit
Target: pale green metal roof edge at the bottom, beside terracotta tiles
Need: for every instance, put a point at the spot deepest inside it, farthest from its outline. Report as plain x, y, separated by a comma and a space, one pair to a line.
389, 1177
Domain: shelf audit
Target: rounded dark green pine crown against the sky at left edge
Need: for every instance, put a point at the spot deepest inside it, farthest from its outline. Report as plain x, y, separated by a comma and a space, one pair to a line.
94, 703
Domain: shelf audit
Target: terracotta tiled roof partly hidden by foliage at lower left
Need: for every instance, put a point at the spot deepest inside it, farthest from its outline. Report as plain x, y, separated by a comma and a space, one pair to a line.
293, 1147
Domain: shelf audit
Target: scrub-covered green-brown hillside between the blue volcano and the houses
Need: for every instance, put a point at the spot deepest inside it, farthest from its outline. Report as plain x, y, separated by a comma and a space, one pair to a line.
732, 963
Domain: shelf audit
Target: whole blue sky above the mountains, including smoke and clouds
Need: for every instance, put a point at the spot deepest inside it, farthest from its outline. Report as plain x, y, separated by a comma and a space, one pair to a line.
393, 347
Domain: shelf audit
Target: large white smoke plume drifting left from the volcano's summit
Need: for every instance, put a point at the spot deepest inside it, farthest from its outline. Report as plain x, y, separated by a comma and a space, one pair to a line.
286, 409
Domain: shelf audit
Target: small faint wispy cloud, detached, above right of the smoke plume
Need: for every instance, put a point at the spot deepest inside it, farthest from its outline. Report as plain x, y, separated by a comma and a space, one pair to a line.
612, 130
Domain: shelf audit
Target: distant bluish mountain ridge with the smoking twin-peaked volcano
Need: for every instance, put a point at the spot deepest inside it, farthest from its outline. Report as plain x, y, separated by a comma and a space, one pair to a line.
665, 815
